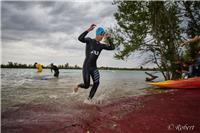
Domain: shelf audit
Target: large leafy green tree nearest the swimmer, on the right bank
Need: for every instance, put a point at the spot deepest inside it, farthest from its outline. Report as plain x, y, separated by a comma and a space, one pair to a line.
151, 27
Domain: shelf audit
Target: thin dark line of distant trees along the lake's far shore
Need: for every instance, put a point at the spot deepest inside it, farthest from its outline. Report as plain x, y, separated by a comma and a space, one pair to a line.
67, 66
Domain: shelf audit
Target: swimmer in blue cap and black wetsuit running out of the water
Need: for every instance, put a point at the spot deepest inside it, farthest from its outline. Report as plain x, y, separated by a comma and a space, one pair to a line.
93, 50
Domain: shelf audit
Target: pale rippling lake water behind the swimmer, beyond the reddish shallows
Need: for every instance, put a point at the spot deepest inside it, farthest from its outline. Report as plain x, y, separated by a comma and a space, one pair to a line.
24, 86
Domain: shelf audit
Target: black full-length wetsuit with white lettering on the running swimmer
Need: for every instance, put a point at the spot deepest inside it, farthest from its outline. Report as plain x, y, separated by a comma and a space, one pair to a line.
93, 50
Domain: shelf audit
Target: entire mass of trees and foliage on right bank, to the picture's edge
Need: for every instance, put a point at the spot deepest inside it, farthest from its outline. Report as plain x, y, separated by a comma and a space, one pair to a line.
159, 29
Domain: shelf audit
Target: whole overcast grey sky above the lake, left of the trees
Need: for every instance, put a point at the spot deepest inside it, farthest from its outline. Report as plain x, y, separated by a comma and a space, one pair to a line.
47, 32
